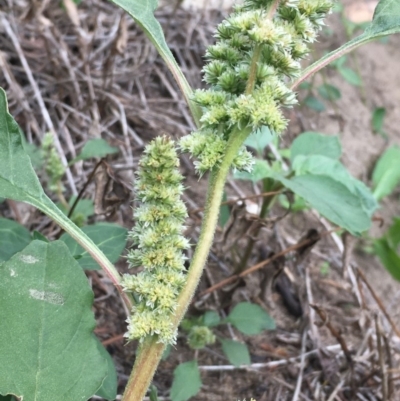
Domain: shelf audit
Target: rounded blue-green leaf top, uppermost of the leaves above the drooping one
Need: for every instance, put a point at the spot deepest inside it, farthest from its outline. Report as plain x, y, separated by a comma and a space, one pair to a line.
314, 143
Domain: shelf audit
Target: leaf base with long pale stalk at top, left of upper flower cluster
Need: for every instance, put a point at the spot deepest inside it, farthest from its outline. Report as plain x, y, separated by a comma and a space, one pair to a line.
142, 11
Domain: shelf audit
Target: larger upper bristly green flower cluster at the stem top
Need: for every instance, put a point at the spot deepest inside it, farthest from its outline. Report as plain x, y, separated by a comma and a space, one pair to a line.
248, 71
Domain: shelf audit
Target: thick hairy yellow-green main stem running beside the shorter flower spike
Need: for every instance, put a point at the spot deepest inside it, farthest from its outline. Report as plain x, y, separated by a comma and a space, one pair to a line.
150, 351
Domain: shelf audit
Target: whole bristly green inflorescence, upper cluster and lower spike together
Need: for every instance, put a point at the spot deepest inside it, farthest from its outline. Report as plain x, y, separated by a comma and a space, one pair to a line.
257, 52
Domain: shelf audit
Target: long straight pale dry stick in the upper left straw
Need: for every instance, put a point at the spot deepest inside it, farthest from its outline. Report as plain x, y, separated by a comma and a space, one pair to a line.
39, 99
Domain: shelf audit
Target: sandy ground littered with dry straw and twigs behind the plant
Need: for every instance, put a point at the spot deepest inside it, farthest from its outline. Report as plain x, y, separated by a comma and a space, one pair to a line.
109, 82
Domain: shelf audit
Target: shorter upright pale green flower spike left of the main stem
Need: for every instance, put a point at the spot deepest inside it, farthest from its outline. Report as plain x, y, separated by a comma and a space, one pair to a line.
158, 242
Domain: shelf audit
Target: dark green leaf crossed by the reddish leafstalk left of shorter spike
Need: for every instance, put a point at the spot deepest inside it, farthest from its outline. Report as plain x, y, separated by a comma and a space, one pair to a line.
110, 238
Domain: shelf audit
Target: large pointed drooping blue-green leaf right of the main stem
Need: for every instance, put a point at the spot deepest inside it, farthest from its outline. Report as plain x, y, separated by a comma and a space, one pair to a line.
332, 199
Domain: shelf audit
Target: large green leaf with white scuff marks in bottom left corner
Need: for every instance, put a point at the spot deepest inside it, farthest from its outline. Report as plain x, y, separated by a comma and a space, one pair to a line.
46, 299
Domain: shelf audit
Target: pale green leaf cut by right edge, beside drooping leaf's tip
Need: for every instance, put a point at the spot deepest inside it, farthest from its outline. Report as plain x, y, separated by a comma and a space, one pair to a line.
386, 174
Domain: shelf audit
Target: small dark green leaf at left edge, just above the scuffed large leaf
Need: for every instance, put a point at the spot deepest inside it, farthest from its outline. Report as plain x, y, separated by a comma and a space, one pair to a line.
13, 238
